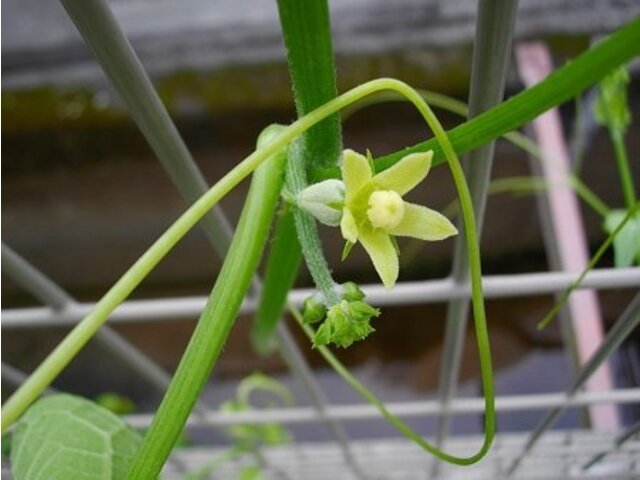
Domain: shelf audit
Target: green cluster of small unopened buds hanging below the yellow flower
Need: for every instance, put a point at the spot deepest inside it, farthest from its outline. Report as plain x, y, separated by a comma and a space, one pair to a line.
345, 322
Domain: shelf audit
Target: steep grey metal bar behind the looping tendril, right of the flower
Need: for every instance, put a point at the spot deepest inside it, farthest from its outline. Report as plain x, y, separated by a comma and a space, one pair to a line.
491, 53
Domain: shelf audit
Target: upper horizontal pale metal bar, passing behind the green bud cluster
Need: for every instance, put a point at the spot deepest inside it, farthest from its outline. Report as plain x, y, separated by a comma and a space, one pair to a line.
406, 293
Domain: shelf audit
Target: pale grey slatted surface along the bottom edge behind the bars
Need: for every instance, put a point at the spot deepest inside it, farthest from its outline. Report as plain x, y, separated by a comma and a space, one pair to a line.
560, 455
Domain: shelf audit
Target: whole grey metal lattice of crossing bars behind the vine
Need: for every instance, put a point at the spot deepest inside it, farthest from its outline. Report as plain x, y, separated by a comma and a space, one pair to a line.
358, 458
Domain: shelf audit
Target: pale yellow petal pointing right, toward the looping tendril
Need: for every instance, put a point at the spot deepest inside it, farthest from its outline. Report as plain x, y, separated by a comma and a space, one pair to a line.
423, 223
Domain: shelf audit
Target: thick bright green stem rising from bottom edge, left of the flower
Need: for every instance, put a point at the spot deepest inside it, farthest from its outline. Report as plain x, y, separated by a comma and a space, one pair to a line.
216, 320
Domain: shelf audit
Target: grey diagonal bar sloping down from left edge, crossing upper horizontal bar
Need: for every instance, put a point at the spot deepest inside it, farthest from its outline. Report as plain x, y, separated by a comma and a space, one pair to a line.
46, 290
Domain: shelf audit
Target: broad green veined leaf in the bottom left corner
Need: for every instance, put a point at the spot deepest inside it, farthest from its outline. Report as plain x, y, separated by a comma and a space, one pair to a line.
71, 438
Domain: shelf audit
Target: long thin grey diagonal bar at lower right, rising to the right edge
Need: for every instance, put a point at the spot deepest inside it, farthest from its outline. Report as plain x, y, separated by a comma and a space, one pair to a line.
628, 321
